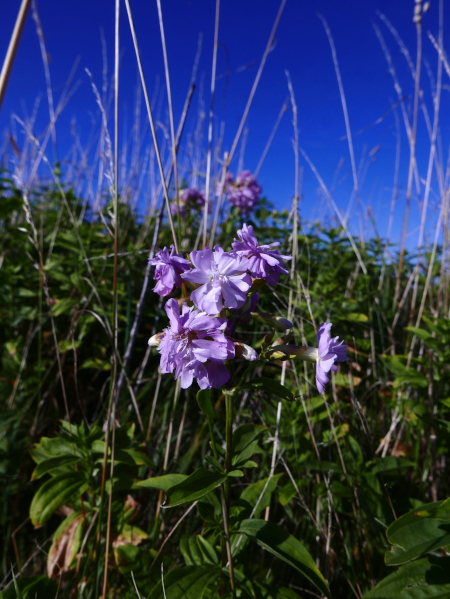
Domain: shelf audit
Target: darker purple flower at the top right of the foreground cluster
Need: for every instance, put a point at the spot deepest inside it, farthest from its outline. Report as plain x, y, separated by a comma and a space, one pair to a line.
264, 262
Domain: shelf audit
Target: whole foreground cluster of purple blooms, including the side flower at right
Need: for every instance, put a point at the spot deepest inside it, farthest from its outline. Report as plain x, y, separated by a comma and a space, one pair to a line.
197, 343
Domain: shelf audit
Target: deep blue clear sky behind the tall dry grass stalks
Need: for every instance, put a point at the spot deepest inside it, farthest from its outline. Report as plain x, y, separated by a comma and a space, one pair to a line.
73, 29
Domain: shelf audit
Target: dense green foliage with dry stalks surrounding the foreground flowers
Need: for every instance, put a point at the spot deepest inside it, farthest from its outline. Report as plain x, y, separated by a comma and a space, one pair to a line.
366, 458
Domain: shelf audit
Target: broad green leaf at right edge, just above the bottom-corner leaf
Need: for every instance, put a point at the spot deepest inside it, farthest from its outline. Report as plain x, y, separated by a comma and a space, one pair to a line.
414, 535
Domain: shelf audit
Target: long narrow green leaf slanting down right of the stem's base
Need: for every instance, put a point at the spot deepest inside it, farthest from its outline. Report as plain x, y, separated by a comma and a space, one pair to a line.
286, 547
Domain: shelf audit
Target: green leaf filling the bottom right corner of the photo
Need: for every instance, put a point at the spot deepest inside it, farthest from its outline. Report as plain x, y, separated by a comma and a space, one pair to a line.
426, 578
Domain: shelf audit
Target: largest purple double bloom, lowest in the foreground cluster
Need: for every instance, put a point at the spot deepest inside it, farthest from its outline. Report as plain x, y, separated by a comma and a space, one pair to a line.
194, 346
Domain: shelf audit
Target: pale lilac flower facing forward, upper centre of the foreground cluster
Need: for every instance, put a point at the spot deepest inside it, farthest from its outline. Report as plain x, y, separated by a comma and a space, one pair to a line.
222, 277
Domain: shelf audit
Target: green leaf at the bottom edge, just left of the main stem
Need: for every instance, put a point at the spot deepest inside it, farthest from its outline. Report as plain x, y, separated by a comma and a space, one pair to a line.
190, 582
